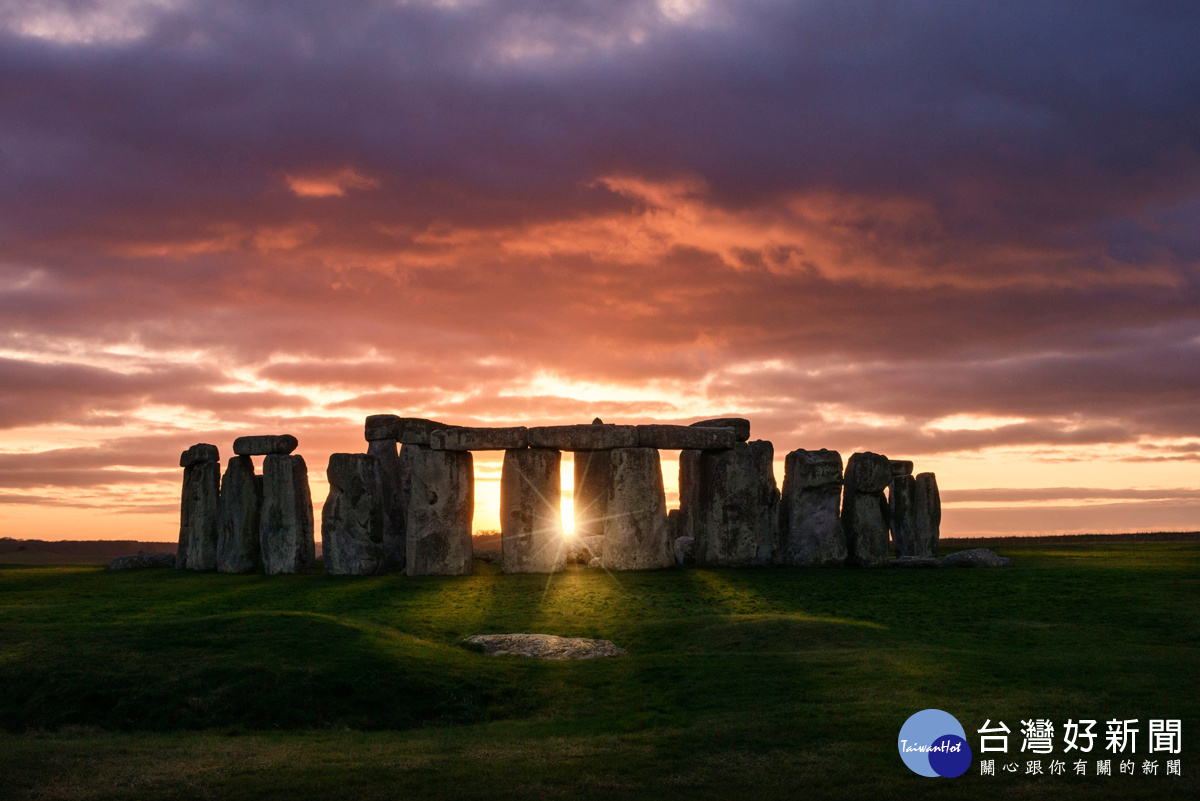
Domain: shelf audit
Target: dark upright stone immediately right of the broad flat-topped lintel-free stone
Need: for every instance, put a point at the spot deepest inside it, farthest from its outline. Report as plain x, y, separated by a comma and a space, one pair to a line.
865, 509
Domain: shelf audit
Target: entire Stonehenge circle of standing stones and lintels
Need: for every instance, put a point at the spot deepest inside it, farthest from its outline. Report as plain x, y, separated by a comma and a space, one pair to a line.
407, 503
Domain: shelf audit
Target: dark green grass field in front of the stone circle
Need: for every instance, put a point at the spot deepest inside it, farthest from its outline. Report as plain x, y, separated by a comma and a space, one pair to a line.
755, 684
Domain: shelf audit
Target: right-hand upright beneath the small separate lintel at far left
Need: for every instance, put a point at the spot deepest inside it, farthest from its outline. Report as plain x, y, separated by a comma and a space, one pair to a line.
286, 527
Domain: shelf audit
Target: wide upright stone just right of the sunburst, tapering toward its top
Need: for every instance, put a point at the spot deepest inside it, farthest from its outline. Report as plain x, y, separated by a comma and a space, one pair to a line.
637, 525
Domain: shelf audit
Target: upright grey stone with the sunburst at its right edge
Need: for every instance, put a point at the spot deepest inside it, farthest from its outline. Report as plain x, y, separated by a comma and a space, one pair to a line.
531, 513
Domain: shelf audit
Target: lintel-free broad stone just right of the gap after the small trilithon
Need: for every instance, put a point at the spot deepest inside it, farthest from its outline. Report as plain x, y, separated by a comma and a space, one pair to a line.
352, 522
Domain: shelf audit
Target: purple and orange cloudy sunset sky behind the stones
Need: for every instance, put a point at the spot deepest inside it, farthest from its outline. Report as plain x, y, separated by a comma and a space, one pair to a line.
963, 234
